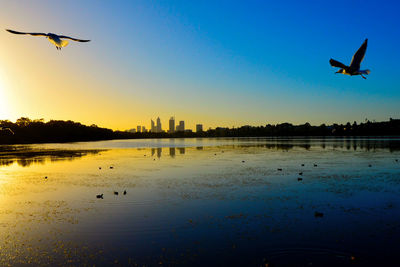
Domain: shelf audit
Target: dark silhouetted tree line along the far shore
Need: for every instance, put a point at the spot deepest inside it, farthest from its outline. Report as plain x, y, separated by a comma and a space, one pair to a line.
25, 130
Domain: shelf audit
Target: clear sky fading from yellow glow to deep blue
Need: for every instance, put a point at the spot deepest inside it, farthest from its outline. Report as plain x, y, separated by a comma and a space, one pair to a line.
219, 63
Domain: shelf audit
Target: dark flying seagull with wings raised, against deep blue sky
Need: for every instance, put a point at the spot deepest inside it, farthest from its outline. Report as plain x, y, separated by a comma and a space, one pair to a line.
354, 68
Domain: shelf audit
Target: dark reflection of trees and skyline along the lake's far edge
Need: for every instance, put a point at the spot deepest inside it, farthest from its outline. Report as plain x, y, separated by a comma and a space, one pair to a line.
26, 155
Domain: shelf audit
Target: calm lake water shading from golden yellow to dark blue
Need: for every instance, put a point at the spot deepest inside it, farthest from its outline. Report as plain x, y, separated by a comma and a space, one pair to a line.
202, 202
